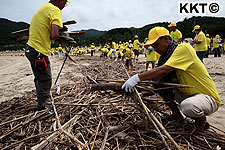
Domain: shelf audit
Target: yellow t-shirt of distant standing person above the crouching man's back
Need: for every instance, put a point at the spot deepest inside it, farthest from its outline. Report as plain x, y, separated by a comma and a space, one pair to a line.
201, 38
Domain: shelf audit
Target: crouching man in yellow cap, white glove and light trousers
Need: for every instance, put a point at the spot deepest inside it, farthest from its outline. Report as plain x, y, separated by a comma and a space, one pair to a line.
180, 64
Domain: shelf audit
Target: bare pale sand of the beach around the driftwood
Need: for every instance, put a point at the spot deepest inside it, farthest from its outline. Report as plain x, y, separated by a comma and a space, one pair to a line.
17, 78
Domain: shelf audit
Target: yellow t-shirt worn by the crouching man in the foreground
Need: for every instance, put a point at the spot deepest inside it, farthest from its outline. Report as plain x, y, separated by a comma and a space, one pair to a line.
191, 71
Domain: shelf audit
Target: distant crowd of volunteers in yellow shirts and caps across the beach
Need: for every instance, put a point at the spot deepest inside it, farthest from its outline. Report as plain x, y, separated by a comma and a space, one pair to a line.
129, 50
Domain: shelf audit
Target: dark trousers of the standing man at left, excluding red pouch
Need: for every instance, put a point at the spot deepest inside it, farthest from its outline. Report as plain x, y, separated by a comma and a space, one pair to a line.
42, 78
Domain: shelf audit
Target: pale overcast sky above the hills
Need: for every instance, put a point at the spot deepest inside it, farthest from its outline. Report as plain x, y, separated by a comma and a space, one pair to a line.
108, 14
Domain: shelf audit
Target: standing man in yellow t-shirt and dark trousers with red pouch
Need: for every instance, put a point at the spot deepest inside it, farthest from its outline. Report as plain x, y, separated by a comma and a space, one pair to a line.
44, 27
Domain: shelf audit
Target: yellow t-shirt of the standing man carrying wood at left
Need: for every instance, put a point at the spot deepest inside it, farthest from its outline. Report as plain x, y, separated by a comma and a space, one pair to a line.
40, 27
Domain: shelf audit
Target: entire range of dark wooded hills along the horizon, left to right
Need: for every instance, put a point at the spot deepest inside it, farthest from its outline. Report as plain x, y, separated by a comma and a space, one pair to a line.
210, 25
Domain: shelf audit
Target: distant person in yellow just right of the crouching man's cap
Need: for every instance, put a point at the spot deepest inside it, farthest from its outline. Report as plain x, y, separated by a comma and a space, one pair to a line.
175, 34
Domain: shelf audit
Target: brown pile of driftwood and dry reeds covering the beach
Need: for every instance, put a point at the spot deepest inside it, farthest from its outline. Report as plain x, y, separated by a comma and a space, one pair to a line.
83, 118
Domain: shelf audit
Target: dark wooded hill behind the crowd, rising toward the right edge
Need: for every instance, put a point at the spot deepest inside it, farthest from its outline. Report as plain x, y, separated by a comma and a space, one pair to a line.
210, 25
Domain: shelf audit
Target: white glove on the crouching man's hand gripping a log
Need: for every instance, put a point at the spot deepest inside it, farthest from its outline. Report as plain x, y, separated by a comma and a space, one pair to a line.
130, 83
